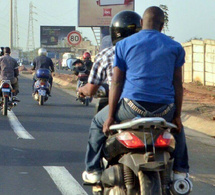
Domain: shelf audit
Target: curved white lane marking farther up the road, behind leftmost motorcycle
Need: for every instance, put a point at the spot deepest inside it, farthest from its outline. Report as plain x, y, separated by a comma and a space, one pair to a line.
17, 126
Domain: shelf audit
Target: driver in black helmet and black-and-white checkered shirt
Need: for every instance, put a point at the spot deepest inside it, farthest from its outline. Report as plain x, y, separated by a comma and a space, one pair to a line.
101, 72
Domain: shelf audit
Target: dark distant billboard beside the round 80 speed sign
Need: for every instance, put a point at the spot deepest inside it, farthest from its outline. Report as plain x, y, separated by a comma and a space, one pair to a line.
55, 36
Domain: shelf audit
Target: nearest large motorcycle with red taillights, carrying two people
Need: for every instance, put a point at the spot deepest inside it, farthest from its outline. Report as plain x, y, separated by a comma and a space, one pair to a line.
137, 158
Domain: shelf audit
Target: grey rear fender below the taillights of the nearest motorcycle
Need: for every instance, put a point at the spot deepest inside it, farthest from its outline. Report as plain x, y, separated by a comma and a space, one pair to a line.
138, 161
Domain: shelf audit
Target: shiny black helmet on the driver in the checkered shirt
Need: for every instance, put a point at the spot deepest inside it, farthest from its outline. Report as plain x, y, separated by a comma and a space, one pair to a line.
124, 24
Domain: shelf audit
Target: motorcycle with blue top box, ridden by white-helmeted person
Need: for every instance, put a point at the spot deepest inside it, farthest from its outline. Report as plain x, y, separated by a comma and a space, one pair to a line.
42, 86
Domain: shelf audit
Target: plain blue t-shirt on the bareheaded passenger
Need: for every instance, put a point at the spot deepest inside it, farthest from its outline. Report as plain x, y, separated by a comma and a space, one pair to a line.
149, 59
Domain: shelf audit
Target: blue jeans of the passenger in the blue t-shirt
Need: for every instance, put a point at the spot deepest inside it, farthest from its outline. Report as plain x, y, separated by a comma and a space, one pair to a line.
124, 112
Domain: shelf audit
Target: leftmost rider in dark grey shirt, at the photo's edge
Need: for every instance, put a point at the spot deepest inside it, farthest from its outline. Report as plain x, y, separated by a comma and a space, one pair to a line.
9, 69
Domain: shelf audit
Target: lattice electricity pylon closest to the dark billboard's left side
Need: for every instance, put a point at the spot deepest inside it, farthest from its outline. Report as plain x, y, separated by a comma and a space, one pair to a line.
30, 40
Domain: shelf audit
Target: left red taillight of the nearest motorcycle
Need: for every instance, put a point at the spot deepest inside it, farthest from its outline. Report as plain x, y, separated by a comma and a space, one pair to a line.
129, 140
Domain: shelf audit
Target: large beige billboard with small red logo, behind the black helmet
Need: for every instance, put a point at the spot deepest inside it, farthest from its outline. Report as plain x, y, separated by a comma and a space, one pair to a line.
100, 12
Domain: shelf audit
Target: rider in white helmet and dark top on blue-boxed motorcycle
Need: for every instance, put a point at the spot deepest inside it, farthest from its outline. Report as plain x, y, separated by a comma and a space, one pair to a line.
42, 61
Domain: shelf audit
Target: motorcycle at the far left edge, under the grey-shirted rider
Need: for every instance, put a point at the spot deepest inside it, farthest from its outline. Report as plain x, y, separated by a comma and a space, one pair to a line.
7, 99
